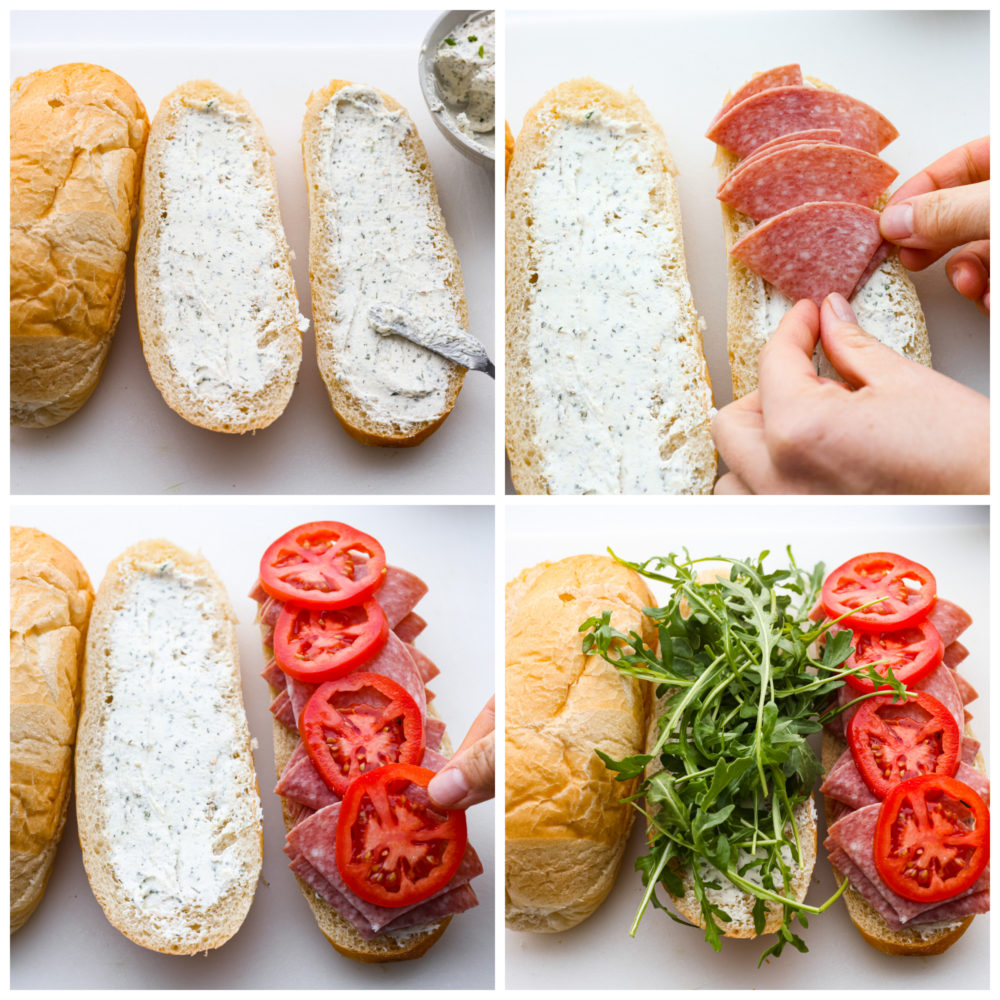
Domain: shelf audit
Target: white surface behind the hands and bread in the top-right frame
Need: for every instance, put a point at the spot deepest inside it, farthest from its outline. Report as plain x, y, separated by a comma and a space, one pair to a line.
926, 71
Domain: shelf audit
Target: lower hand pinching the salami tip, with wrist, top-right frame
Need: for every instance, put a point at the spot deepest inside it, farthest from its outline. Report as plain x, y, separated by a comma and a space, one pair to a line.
903, 429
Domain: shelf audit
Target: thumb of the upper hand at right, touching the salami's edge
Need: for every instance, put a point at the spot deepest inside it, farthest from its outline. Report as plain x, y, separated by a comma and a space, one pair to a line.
940, 219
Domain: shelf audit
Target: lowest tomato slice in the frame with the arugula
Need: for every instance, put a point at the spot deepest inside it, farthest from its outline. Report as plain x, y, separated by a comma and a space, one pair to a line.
932, 838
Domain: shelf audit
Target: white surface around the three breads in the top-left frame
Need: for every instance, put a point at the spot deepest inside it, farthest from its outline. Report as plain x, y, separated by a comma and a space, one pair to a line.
126, 439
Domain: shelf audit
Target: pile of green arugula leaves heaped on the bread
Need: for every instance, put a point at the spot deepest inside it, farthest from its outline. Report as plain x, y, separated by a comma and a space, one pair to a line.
744, 695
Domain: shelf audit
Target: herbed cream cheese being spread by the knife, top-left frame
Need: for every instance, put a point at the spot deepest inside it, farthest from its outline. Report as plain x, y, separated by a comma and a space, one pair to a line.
386, 246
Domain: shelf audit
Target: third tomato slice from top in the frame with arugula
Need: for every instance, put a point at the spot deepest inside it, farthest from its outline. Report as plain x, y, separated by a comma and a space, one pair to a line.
891, 743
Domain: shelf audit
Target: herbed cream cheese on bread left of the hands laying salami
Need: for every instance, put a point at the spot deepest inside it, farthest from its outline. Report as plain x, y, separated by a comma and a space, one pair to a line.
619, 380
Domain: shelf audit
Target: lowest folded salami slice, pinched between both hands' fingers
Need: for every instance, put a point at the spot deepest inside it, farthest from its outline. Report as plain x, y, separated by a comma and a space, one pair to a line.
812, 250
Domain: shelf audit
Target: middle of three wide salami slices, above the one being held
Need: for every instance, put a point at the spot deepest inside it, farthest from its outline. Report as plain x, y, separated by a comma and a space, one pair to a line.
790, 176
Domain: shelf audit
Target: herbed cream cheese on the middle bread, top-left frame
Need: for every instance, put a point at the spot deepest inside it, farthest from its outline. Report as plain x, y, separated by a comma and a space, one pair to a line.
224, 292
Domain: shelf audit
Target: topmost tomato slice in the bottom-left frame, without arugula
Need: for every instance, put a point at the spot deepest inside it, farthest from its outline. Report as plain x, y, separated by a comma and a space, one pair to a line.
324, 564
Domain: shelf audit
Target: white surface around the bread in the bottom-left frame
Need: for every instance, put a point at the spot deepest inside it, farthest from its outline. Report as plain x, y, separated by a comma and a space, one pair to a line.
68, 943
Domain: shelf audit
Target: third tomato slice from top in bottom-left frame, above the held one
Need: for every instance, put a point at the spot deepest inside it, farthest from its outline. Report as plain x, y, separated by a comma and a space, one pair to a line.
358, 723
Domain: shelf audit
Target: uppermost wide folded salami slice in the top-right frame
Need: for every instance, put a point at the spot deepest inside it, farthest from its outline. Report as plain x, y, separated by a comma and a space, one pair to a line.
780, 110
